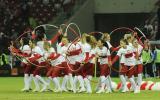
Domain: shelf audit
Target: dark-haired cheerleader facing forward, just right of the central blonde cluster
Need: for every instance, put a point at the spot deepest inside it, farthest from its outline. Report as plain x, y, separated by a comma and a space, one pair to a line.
104, 61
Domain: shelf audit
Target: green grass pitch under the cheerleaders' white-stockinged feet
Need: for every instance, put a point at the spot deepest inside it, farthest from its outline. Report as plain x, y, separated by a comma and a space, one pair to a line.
10, 90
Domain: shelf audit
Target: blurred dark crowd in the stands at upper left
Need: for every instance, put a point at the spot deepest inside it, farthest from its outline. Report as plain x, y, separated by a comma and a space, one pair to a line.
17, 16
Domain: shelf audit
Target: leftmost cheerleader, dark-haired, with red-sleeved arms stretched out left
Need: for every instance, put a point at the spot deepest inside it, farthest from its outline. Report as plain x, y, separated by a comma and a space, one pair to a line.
24, 52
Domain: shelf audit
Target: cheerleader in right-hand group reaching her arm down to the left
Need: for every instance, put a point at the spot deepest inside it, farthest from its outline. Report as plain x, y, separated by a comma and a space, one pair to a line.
130, 61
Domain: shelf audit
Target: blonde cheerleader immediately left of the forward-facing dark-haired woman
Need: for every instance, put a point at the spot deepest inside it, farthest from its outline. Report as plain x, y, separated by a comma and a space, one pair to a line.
87, 45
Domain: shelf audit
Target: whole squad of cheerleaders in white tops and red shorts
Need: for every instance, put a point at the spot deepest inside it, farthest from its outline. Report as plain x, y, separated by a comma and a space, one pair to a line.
77, 61
